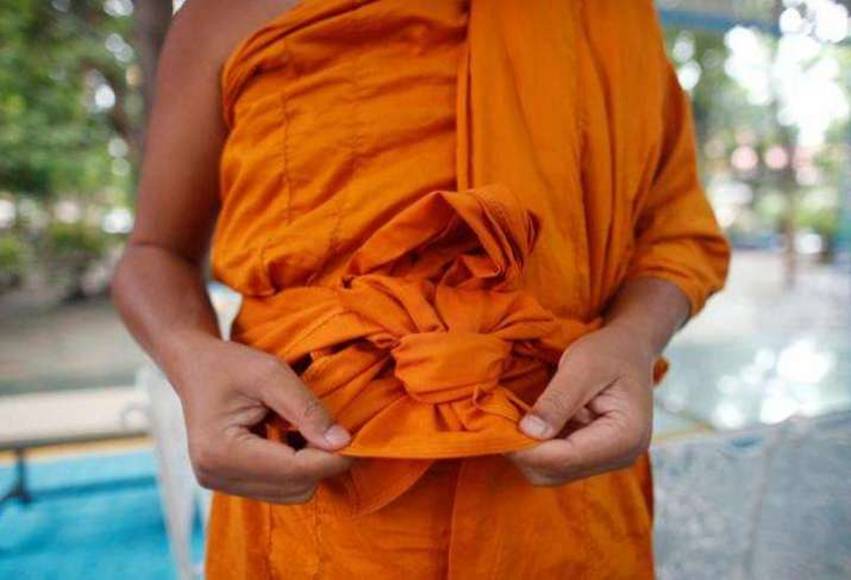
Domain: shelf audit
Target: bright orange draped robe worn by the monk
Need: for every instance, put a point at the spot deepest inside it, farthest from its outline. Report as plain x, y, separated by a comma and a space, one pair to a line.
423, 204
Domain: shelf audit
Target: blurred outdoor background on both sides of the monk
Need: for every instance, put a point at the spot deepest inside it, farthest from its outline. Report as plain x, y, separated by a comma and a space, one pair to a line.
752, 447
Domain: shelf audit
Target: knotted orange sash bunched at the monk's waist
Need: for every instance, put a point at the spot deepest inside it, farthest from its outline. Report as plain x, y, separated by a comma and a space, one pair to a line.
424, 346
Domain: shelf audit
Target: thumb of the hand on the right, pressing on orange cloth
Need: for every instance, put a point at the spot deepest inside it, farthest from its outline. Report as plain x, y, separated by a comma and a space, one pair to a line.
570, 389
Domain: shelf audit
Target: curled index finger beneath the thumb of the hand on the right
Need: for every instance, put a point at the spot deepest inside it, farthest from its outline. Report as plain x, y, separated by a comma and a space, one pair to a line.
608, 443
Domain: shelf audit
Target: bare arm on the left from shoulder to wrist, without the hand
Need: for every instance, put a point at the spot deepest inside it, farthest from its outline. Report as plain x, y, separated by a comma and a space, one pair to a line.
158, 286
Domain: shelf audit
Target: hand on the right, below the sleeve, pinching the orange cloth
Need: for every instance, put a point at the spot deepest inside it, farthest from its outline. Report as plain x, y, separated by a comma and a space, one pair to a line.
596, 414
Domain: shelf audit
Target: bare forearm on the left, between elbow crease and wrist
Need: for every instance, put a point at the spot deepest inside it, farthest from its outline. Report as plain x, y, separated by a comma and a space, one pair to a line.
162, 299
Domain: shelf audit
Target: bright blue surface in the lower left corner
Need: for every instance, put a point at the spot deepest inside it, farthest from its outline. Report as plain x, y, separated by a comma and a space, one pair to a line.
93, 517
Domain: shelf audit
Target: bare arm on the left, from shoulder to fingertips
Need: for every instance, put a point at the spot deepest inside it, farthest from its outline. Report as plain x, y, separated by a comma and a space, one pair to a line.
226, 389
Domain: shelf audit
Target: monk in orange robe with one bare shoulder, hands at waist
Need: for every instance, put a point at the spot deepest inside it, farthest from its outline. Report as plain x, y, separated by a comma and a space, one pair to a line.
464, 232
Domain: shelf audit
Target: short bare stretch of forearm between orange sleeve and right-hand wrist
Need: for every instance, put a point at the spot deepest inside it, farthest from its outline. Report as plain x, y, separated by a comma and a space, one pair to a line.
650, 308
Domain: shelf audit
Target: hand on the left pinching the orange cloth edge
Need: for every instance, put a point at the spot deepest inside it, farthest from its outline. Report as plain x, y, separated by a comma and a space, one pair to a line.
226, 390
